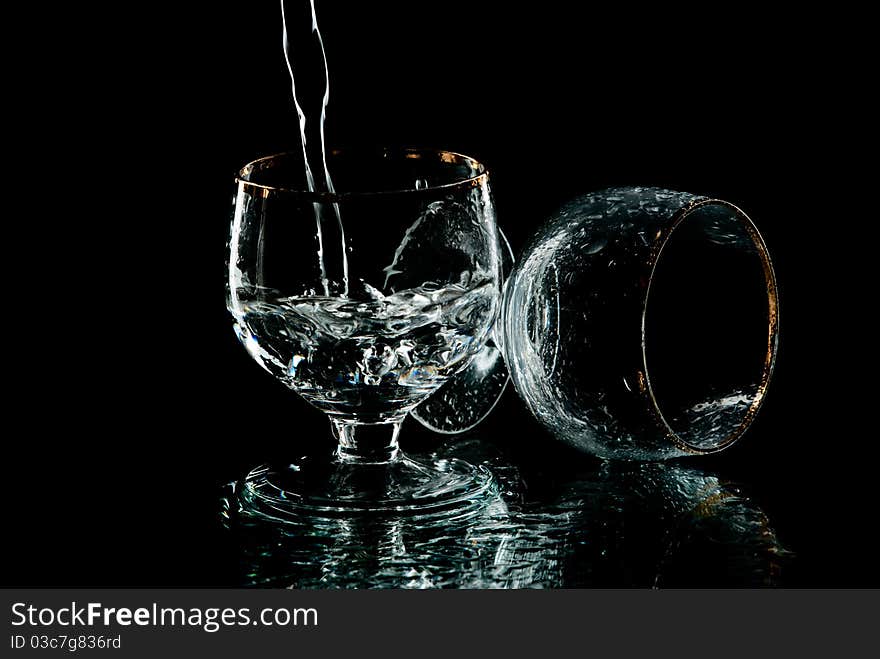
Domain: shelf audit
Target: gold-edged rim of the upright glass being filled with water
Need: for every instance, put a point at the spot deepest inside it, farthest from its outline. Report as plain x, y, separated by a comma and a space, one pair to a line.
444, 155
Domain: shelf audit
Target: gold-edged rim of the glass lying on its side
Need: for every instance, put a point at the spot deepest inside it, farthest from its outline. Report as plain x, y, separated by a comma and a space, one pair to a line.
772, 328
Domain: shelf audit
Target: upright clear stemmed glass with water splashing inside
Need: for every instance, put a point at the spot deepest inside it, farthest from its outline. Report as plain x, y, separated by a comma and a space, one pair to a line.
364, 302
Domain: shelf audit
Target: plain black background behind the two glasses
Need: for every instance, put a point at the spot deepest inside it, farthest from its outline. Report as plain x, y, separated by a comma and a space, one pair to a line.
131, 400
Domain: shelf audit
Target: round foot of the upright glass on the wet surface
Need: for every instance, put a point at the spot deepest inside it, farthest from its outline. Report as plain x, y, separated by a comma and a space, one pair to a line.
326, 487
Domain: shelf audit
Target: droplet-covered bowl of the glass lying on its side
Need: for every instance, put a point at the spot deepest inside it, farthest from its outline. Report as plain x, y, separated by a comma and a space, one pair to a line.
642, 323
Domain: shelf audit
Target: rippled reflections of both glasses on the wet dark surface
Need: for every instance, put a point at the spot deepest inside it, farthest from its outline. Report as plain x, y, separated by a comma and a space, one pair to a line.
616, 525
